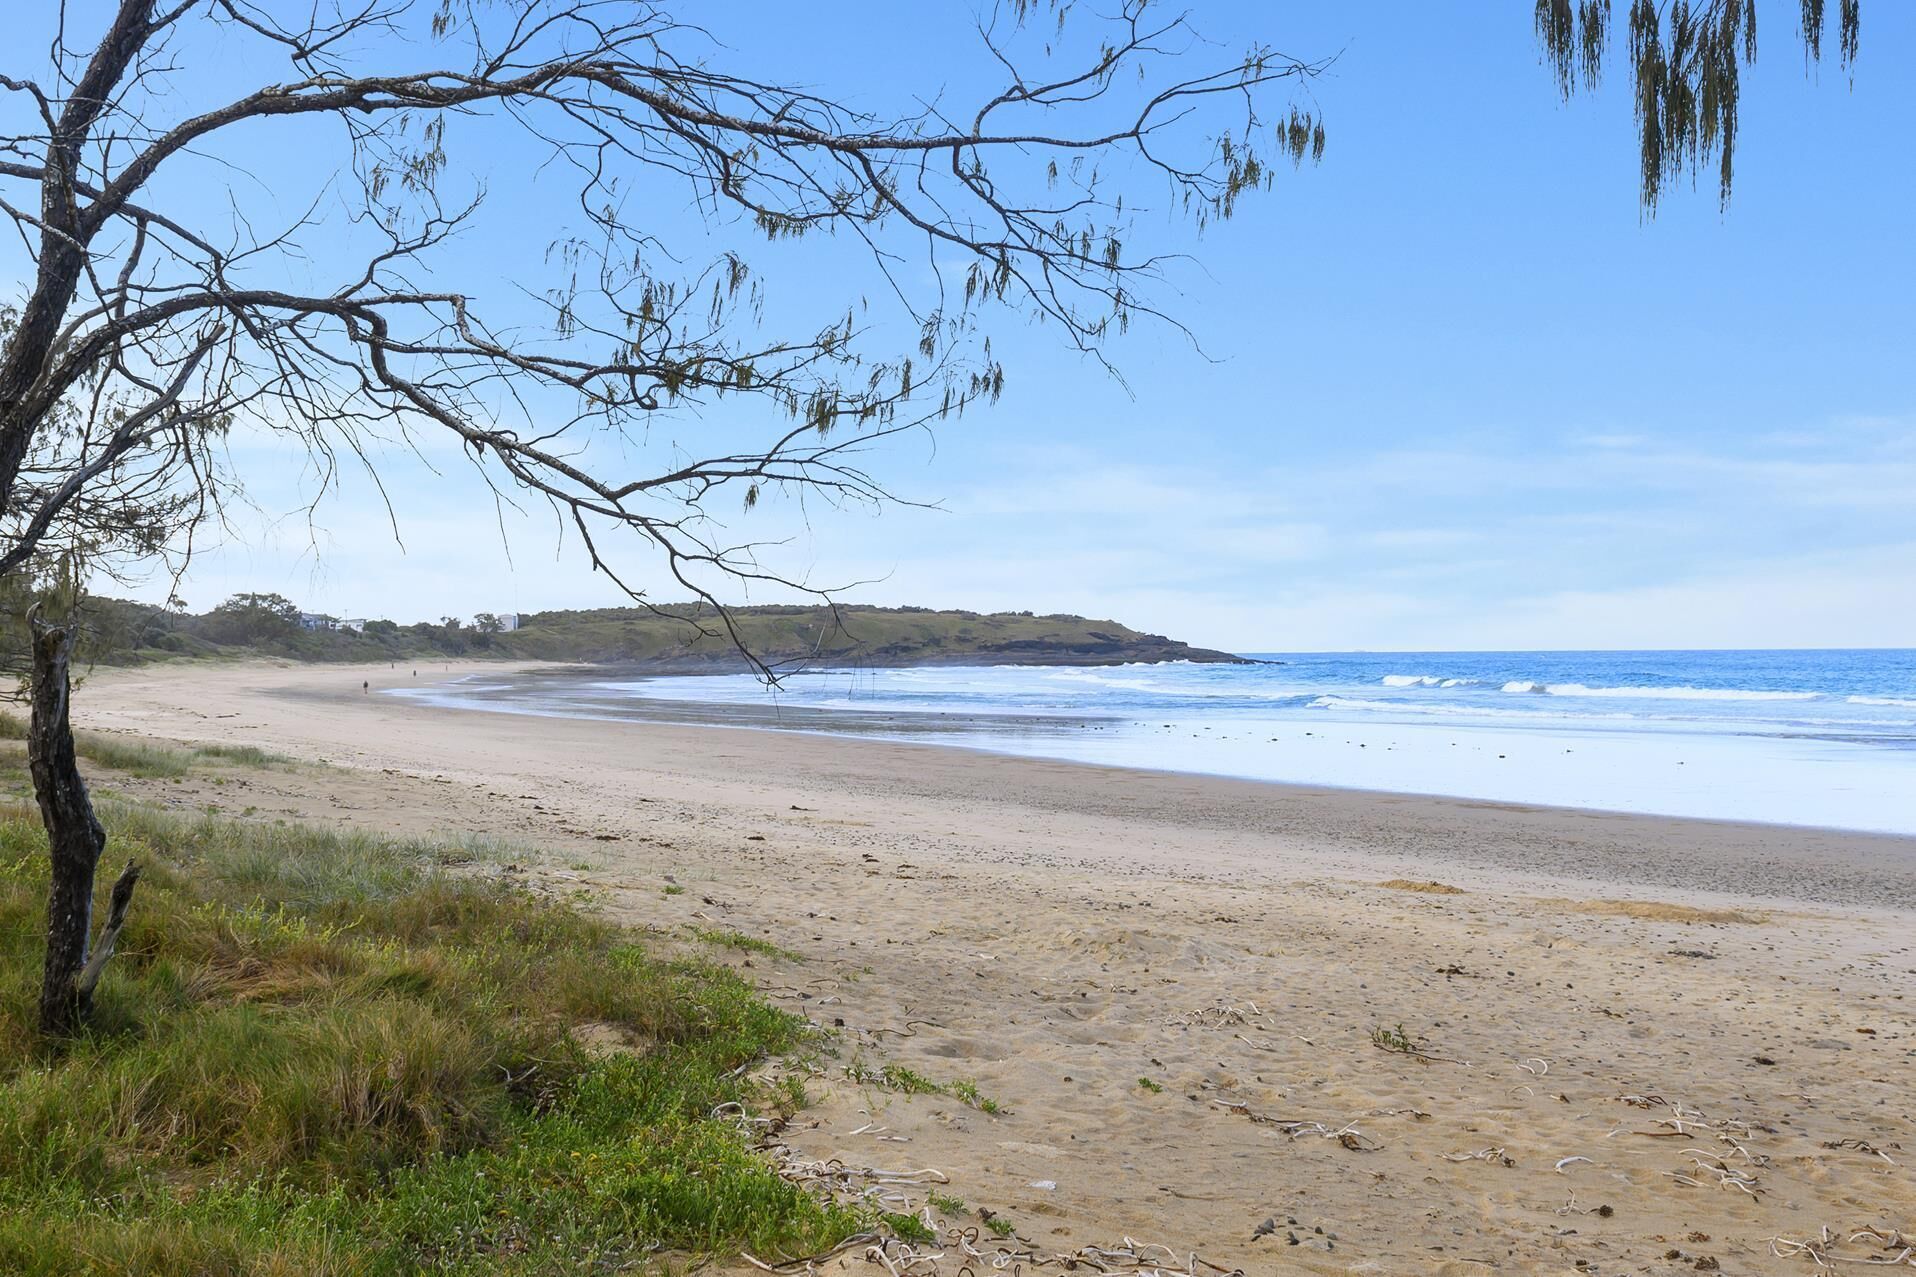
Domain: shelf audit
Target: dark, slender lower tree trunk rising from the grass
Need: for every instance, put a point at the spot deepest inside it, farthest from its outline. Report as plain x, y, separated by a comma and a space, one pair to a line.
76, 843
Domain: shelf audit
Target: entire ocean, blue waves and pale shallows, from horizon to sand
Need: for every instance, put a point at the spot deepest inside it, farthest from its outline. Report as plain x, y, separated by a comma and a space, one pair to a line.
1823, 739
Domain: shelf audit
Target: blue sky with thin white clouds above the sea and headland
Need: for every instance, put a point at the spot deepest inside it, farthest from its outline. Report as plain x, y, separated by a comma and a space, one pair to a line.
1446, 390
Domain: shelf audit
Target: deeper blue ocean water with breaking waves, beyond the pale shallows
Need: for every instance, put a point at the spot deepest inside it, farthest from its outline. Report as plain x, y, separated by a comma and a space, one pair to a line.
1844, 695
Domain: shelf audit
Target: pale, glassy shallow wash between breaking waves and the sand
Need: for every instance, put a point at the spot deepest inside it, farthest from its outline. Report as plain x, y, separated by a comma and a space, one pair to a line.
1697, 772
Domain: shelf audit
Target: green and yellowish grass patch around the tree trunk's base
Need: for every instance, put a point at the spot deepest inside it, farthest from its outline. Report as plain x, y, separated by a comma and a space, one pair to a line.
327, 1054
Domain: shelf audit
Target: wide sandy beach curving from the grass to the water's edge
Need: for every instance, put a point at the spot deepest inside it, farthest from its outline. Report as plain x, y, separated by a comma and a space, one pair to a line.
1643, 1046
